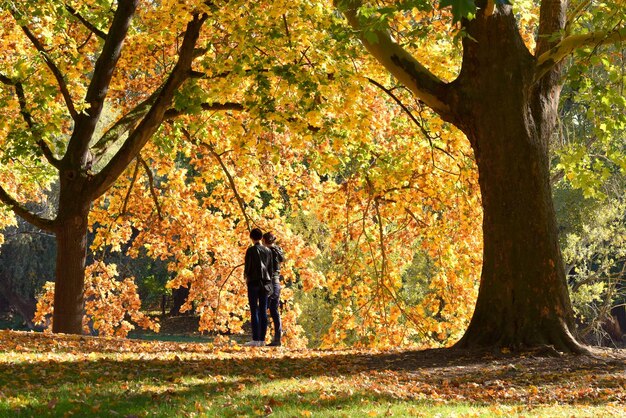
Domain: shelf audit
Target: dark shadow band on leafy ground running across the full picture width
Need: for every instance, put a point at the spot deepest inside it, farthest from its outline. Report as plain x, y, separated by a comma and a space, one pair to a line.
438, 364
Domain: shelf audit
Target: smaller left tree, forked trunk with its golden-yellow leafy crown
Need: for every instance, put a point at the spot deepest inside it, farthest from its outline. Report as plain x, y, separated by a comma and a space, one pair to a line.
250, 53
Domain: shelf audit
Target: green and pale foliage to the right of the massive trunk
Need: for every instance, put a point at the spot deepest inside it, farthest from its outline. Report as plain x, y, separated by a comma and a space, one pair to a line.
588, 178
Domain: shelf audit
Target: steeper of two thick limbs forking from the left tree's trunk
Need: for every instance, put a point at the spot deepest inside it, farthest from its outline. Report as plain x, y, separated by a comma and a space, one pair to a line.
100, 80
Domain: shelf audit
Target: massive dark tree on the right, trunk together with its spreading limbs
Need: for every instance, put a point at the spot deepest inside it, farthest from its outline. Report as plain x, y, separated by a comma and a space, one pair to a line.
505, 100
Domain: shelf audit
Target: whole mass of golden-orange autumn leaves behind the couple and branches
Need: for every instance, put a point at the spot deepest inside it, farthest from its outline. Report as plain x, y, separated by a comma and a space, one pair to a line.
315, 138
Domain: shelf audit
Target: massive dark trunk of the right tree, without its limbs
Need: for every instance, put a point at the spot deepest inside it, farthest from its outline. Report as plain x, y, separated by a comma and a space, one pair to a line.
523, 299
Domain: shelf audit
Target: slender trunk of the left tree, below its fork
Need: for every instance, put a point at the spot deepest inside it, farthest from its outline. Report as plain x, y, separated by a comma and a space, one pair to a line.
71, 237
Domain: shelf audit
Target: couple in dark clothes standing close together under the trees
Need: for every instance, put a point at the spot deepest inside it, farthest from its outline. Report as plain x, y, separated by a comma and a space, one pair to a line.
262, 273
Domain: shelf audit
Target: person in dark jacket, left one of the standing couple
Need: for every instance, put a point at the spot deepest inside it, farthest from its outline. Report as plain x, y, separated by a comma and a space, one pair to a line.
257, 271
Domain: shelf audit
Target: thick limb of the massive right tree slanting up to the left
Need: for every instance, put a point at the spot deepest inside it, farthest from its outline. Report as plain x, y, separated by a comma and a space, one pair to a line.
424, 84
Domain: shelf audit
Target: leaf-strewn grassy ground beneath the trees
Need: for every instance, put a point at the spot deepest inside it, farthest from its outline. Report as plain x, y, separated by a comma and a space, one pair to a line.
44, 375
